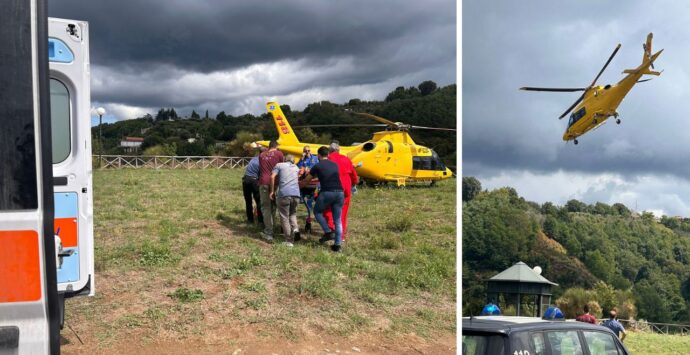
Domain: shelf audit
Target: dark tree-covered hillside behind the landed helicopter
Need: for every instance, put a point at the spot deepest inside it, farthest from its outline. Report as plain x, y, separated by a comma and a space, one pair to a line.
425, 105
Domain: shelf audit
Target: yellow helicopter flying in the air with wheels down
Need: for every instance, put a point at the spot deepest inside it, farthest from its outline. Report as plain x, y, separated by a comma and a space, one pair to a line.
598, 103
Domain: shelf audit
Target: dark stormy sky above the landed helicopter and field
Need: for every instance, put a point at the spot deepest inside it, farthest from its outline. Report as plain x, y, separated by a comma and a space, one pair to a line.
236, 55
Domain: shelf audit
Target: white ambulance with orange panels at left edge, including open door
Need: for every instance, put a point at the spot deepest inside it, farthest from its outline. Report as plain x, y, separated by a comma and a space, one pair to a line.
46, 205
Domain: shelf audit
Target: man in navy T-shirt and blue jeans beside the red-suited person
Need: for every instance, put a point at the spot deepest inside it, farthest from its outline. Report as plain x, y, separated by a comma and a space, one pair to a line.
331, 195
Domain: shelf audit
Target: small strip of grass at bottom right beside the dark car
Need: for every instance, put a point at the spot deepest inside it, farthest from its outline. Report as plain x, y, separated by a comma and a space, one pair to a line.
658, 344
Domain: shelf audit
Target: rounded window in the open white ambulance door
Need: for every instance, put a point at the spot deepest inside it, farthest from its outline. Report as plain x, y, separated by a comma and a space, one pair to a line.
60, 120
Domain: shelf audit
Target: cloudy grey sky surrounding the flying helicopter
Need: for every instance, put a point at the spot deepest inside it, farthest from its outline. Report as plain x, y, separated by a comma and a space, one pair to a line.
513, 137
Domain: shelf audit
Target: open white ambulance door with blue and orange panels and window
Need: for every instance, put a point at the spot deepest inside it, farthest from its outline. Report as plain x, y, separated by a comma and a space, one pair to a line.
68, 52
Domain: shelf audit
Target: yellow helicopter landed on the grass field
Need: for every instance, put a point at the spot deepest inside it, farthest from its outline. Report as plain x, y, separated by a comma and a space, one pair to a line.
389, 156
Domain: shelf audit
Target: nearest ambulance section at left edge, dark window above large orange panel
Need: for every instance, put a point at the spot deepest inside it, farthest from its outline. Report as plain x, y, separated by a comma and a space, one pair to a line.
28, 290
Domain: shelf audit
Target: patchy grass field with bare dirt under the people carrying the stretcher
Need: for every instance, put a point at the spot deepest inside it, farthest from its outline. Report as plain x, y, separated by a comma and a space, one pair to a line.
175, 261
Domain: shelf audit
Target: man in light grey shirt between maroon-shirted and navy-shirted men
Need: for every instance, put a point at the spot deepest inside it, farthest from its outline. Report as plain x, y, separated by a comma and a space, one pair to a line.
288, 197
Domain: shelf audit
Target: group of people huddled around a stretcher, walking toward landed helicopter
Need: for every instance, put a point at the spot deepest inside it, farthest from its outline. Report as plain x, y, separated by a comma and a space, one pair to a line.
323, 183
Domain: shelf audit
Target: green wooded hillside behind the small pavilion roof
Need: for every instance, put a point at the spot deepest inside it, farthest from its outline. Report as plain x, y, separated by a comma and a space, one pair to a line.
601, 253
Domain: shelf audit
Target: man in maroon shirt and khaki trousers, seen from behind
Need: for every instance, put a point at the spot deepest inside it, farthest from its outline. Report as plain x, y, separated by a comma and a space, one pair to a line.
268, 160
